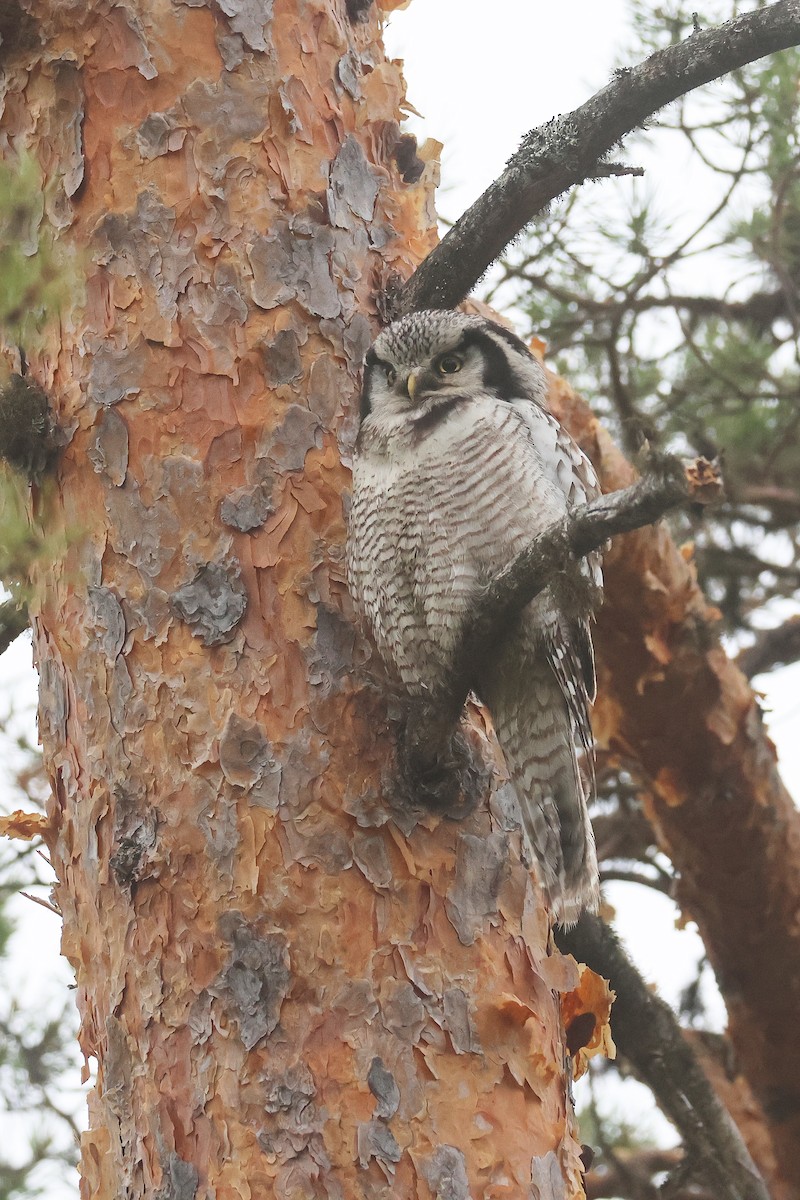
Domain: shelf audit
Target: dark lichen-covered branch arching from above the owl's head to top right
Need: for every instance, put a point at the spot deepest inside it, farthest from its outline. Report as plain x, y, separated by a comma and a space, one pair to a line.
569, 149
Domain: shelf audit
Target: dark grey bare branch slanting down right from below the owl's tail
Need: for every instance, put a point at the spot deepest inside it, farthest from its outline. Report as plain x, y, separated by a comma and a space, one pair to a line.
649, 1037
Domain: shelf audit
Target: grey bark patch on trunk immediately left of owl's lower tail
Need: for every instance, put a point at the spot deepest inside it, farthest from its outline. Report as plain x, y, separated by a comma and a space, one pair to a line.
480, 867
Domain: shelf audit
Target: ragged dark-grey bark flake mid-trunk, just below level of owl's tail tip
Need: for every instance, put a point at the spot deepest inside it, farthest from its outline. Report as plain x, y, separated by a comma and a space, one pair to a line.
256, 980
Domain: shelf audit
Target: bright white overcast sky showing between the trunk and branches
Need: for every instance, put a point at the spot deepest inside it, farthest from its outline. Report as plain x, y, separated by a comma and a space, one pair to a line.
482, 75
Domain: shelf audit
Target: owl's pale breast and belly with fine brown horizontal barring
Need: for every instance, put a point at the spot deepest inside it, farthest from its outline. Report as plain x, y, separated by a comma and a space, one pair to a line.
434, 518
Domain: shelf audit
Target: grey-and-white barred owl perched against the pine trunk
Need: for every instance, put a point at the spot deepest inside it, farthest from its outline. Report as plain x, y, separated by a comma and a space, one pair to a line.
459, 465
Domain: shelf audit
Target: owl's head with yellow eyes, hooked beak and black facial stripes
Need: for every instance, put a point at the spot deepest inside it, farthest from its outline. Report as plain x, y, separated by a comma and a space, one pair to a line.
436, 357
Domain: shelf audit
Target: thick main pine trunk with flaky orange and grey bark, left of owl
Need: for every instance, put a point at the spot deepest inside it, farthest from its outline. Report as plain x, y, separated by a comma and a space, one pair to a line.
292, 985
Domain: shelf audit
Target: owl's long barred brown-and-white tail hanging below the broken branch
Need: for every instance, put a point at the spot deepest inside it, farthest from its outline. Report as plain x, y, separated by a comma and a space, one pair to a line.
536, 733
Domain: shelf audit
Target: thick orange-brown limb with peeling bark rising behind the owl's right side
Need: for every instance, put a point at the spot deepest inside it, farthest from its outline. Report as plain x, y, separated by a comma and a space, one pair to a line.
671, 699
